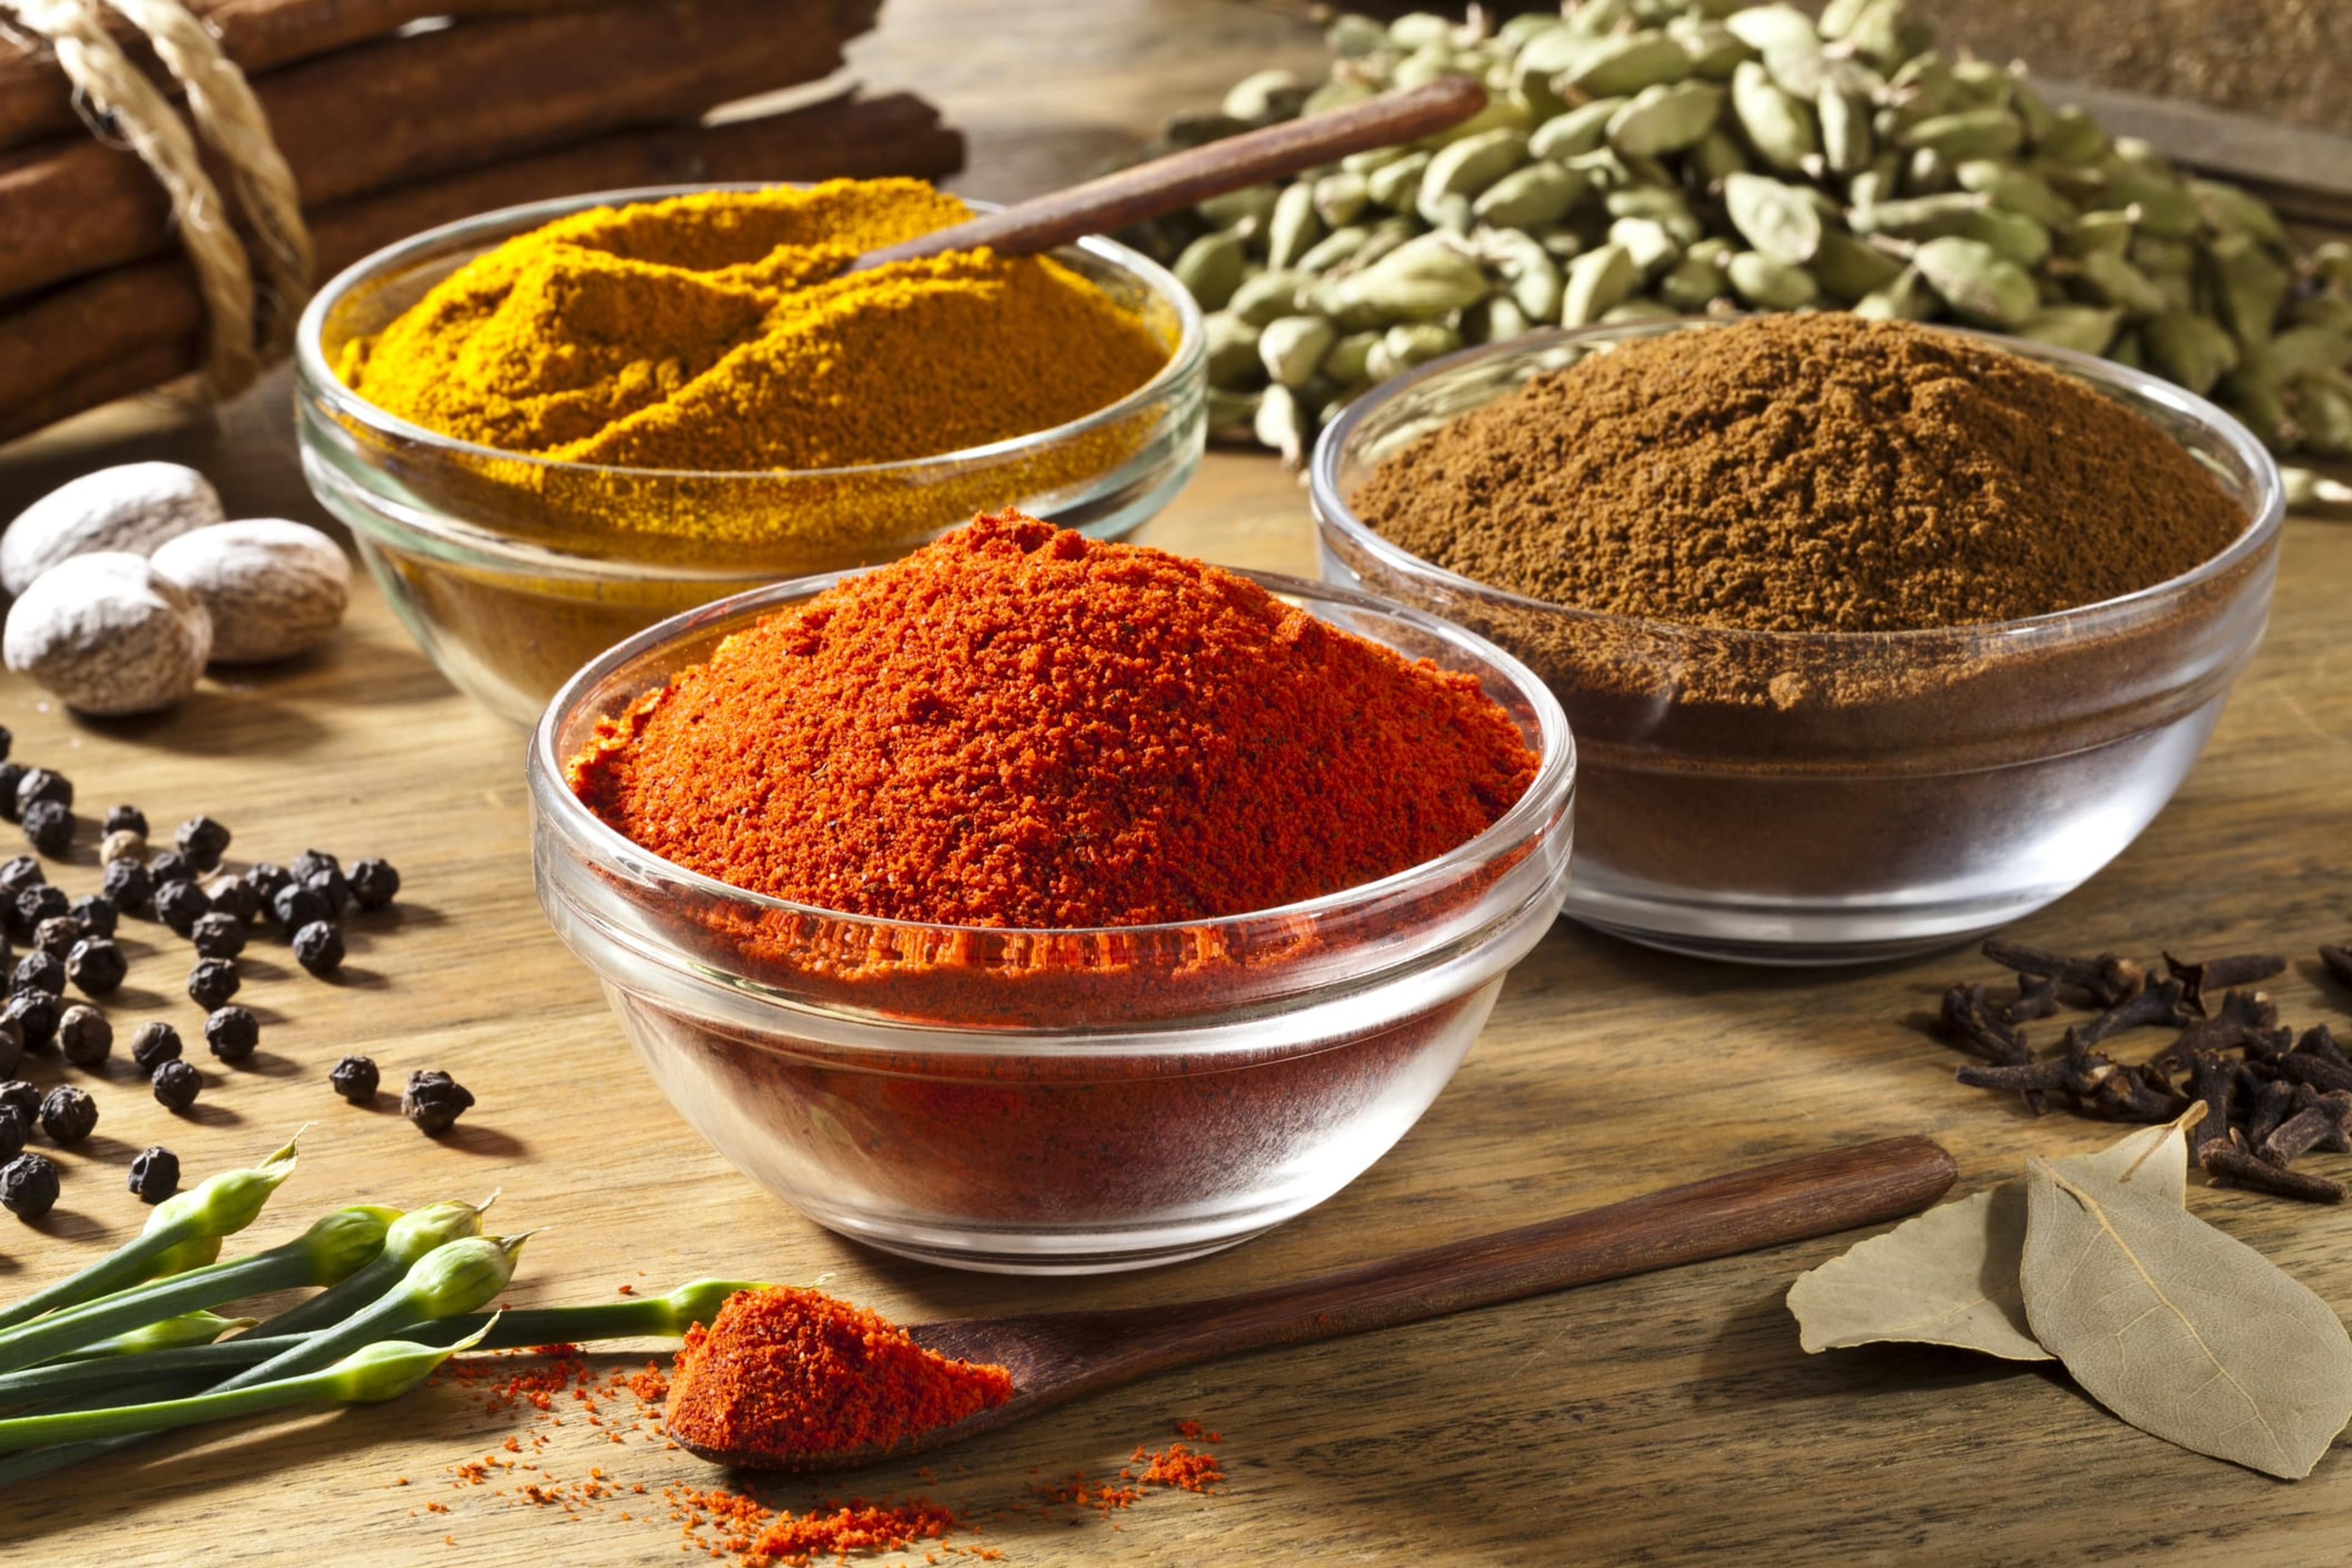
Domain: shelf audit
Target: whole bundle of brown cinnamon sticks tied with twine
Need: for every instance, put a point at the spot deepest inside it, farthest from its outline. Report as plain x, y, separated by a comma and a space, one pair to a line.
399, 116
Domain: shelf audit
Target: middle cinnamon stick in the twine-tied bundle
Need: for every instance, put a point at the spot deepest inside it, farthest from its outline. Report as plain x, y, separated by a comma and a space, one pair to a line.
410, 107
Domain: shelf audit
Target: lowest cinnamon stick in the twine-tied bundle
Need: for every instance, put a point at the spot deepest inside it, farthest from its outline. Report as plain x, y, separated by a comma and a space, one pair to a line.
140, 326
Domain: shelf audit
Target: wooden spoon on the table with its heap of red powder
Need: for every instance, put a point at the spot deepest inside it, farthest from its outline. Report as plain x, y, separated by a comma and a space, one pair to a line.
801, 1381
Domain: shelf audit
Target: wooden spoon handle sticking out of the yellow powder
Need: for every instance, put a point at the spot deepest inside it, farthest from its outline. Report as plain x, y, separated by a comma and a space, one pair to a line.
1201, 173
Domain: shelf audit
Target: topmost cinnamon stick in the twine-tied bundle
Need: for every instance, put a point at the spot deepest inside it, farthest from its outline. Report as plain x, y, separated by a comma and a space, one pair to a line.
36, 100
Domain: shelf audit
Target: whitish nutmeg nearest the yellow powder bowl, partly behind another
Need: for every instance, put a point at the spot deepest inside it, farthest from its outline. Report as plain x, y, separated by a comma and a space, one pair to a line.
272, 587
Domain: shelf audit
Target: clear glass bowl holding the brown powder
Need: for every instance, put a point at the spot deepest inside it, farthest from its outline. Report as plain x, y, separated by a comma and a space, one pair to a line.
1895, 791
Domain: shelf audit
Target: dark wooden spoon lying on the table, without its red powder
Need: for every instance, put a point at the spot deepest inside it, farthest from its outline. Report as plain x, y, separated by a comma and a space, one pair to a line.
1057, 1358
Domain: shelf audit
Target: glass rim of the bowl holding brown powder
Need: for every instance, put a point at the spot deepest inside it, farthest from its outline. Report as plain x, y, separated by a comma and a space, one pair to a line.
2266, 523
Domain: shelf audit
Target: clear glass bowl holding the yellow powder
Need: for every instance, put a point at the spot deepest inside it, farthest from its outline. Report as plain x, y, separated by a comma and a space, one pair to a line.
514, 572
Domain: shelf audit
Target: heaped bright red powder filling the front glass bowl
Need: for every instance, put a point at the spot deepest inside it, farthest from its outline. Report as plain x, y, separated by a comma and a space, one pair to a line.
1024, 728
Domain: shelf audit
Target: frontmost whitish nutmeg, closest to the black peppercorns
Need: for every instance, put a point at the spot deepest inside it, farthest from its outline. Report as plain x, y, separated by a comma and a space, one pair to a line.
109, 636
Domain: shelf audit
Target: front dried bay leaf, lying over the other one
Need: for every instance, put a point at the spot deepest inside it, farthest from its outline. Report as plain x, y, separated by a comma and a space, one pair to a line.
2177, 1327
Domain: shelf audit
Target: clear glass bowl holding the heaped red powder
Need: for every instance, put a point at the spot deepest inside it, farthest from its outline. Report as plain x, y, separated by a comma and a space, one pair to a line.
1053, 1101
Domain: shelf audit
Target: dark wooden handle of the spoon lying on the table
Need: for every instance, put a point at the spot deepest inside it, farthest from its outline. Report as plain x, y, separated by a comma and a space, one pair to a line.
1711, 1219
